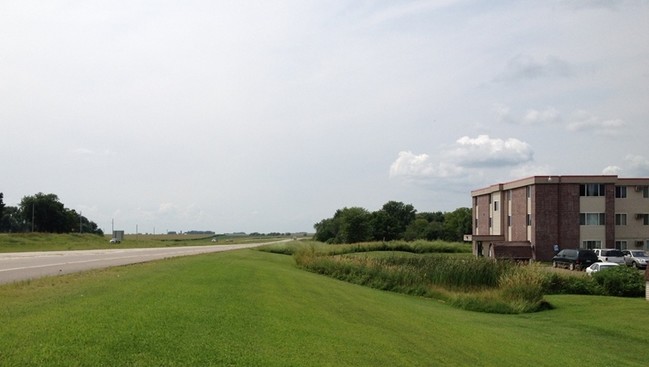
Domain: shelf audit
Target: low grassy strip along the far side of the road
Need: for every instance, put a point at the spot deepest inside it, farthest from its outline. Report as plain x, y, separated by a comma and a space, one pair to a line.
22, 242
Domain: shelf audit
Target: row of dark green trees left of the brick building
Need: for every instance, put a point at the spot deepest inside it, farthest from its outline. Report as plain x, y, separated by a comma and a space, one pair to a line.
394, 221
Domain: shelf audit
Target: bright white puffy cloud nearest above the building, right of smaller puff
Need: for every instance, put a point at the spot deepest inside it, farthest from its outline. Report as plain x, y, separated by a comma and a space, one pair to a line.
486, 151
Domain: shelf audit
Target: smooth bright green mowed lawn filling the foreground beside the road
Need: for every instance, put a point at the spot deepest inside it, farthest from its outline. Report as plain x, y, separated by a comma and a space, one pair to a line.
250, 308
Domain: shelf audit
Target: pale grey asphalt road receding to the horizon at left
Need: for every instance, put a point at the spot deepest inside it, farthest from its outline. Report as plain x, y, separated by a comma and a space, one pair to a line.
19, 266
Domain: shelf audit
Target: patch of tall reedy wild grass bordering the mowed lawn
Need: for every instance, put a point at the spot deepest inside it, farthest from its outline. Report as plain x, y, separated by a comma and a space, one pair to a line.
476, 284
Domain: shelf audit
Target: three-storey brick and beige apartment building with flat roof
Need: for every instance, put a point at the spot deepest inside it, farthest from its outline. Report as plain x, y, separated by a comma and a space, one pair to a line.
539, 215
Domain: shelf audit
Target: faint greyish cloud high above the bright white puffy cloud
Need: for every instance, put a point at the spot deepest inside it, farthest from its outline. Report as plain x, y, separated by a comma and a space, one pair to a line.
523, 67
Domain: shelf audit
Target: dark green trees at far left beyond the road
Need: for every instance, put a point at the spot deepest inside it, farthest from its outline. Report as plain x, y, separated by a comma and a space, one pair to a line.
43, 213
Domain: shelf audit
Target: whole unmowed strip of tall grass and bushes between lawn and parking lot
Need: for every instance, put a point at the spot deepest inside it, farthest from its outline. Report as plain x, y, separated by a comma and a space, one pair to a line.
447, 272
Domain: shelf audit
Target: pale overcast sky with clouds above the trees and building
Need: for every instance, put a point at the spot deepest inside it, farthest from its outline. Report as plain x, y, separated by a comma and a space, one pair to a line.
268, 116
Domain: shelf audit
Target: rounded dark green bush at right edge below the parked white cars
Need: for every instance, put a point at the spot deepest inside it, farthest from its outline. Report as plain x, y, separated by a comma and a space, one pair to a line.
621, 281
